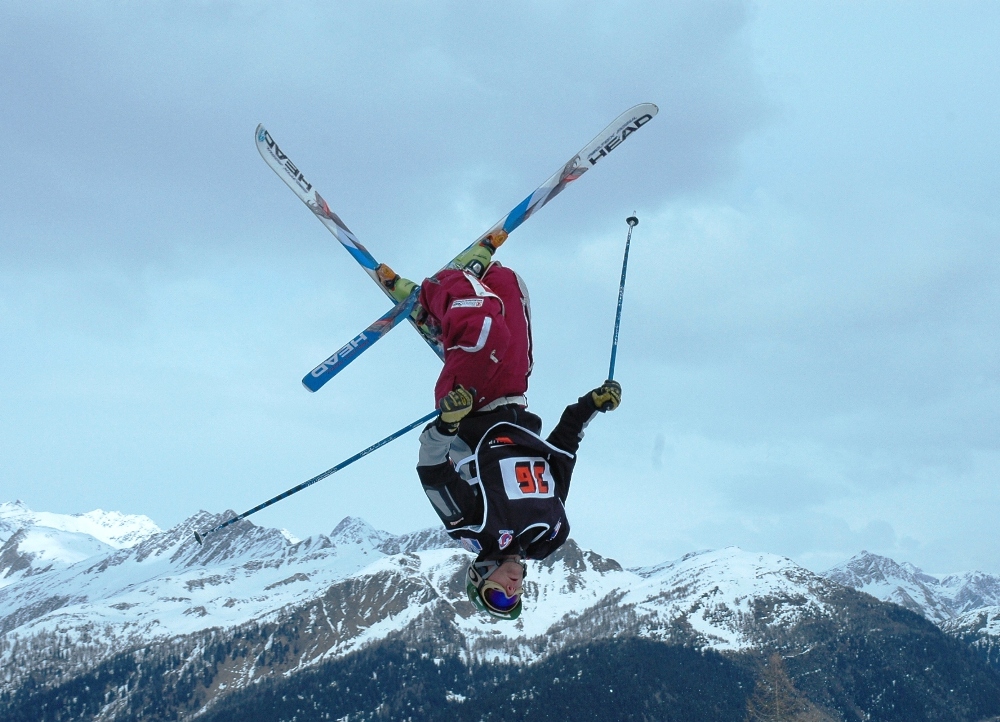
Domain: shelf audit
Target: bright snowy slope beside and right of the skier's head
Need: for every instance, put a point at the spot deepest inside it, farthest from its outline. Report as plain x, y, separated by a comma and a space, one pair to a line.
707, 598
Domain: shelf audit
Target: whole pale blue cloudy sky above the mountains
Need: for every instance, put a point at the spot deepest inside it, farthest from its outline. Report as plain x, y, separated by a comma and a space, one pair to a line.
808, 349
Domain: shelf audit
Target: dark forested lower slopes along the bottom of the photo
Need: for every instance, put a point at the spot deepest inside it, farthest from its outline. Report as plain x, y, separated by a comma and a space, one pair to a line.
864, 661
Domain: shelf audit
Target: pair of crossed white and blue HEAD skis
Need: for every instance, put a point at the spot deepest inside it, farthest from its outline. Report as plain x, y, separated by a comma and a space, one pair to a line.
603, 143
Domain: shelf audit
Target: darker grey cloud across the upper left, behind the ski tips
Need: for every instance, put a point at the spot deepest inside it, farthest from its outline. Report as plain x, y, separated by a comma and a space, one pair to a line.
133, 123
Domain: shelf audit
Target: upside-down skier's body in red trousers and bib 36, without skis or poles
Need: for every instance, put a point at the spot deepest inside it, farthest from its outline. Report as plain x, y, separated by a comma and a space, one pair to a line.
496, 484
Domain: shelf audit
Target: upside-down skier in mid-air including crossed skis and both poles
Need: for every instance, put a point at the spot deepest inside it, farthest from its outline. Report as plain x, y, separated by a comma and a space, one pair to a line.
469, 313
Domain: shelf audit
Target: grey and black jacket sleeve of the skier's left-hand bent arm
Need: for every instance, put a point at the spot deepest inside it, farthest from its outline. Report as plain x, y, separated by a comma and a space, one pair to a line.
454, 500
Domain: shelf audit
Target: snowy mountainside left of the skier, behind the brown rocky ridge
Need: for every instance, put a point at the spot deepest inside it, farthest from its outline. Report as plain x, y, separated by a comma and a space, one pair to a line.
167, 584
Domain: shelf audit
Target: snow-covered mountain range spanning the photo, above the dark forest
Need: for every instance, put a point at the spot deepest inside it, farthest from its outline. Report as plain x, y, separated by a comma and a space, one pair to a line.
72, 599
